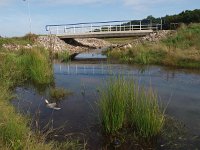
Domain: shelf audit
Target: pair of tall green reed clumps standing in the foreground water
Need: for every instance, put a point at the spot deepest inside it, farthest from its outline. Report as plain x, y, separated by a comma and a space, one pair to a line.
124, 103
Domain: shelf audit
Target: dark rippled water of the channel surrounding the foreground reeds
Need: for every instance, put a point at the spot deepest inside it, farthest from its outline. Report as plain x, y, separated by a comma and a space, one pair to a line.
79, 114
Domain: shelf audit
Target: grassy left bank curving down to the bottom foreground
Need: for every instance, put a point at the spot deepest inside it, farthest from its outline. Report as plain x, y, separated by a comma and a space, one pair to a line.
25, 65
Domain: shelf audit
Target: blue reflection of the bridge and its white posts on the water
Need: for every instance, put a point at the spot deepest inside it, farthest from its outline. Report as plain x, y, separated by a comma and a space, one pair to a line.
96, 70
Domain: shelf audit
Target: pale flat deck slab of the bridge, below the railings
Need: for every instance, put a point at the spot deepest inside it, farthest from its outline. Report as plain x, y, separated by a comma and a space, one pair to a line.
106, 34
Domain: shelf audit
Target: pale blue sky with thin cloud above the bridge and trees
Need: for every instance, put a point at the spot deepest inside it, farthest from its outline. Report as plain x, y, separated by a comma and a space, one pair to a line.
14, 20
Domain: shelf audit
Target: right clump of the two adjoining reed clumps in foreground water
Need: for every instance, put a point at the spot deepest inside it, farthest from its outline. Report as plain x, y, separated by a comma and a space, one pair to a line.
146, 115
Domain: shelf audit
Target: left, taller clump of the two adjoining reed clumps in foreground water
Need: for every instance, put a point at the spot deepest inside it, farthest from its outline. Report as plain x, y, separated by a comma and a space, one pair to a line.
112, 105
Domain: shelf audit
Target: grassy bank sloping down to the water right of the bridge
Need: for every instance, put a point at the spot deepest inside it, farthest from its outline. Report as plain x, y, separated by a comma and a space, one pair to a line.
181, 49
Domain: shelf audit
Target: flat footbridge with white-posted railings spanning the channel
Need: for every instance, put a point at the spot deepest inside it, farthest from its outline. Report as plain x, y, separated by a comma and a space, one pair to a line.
125, 28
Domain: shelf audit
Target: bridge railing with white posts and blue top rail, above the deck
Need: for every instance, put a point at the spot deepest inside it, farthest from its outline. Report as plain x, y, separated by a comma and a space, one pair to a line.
95, 27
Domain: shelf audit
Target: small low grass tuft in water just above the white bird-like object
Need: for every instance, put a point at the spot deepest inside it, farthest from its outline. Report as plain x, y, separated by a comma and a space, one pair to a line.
59, 93
